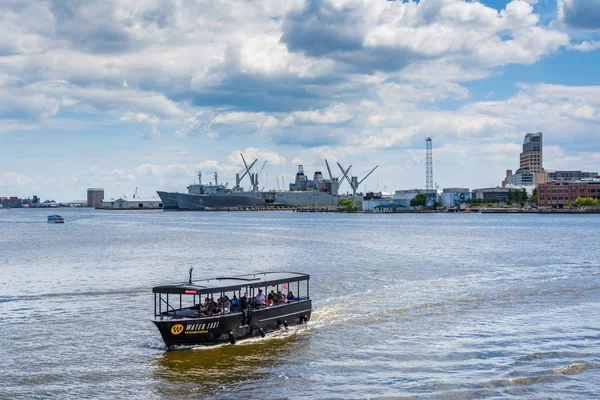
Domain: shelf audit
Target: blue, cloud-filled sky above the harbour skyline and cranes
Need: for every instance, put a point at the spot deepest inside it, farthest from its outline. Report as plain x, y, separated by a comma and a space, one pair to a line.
124, 95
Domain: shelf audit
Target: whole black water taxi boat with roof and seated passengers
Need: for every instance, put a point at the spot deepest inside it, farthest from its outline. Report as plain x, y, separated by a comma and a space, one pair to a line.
226, 309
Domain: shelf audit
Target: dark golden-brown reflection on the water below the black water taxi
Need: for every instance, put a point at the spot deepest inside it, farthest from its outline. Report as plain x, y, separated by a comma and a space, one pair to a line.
207, 370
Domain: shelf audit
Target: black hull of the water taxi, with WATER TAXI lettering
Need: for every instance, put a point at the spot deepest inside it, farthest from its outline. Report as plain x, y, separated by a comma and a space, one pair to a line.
217, 329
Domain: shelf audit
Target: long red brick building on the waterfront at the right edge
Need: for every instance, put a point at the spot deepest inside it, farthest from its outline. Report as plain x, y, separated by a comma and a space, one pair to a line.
559, 194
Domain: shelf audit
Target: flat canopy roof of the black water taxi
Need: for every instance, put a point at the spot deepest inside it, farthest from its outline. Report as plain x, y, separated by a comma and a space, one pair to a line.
230, 283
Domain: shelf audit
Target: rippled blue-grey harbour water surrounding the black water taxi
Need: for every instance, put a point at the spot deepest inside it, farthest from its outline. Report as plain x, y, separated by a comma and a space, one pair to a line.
406, 306
